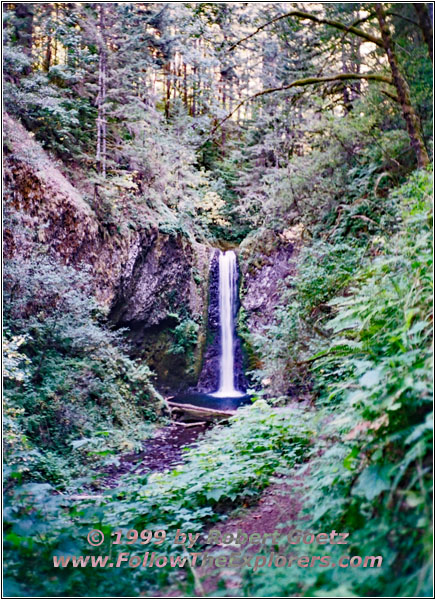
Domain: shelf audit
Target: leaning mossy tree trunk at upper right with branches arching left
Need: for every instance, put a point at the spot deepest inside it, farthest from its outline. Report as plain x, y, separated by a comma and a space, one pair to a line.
403, 92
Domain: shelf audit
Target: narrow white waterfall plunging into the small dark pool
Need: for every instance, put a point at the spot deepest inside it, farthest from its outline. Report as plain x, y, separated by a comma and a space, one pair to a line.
228, 277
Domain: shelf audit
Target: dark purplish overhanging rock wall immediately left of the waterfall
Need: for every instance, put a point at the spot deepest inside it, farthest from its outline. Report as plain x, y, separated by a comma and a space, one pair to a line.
161, 297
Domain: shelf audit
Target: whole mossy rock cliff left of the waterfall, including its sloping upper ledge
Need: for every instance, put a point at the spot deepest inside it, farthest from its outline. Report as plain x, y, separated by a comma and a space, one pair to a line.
153, 283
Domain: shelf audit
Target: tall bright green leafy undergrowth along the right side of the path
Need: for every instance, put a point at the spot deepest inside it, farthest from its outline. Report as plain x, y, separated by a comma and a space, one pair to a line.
371, 472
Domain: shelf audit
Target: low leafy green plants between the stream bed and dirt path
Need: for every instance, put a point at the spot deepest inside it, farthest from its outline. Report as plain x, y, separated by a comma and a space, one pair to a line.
230, 466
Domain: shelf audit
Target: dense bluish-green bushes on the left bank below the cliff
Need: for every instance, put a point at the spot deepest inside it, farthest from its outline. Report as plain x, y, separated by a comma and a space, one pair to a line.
73, 397
